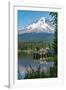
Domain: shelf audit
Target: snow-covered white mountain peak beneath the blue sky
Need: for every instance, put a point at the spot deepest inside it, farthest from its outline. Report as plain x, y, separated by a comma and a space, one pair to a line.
42, 25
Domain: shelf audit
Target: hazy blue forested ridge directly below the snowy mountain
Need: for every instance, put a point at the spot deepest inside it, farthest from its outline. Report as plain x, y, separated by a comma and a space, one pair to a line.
36, 37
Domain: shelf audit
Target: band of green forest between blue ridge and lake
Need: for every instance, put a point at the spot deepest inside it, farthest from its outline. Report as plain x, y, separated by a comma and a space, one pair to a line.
31, 45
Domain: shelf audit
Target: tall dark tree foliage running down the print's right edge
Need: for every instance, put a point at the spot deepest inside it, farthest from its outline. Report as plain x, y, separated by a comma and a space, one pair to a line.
54, 70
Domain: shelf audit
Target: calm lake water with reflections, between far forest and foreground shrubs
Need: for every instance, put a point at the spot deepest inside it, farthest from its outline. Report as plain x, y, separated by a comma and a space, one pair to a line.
26, 64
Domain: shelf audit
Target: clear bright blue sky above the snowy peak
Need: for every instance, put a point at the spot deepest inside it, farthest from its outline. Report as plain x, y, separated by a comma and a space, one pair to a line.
27, 17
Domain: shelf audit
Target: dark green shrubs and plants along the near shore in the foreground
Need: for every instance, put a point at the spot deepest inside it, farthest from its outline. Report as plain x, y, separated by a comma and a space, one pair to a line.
39, 73
